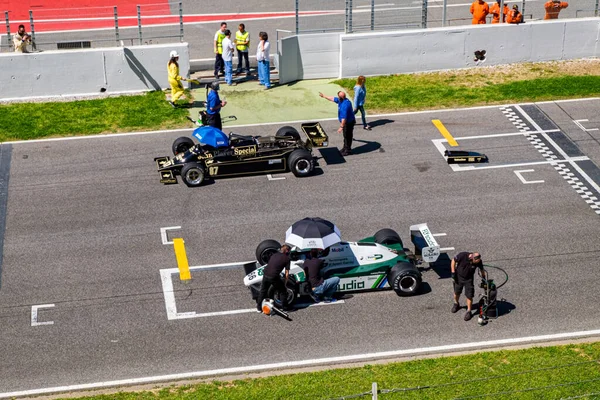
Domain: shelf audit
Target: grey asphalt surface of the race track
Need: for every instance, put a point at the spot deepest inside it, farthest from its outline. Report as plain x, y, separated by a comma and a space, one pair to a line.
83, 224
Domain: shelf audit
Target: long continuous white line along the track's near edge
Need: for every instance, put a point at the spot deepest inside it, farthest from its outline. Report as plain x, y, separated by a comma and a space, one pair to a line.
310, 362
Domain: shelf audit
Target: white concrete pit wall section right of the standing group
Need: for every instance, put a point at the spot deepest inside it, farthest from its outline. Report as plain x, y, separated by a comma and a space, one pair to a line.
336, 55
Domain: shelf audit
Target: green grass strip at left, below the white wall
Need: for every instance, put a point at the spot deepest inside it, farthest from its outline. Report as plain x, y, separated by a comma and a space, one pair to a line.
150, 111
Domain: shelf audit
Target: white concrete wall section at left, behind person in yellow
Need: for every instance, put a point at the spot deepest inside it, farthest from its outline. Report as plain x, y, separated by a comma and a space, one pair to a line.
88, 72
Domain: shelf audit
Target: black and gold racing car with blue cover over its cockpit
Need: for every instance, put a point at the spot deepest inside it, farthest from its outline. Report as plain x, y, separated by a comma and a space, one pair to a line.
238, 155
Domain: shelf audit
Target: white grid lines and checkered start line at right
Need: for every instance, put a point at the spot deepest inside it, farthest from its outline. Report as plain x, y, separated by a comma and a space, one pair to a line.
561, 163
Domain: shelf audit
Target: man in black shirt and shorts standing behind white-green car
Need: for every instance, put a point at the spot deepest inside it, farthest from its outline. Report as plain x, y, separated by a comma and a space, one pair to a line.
463, 268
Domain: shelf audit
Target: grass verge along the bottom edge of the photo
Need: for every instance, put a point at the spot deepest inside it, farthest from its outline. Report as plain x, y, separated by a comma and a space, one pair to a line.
535, 373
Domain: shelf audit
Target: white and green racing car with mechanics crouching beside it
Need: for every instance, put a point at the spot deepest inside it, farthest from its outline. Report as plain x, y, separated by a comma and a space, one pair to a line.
376, 262
